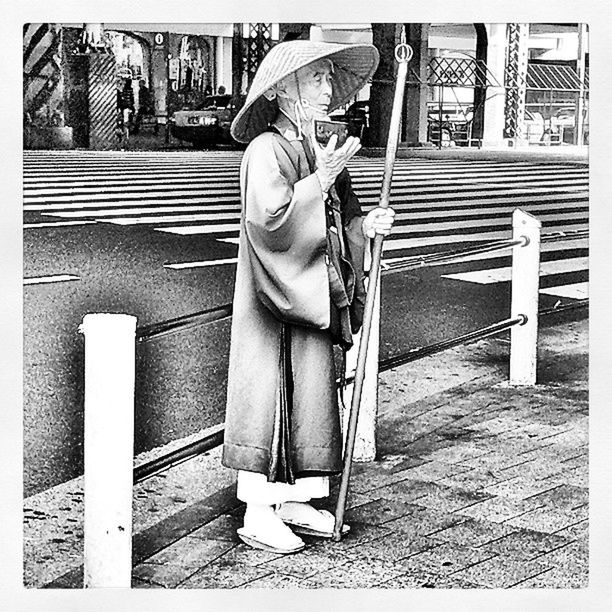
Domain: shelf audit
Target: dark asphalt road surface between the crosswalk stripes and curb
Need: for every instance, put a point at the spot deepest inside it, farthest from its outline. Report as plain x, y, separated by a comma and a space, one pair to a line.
181, 377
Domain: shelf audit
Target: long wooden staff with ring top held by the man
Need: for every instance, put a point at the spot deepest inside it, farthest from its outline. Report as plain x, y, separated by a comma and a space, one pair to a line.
403, 53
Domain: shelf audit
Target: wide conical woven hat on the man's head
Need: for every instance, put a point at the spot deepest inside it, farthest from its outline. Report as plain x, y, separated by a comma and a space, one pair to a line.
354, 64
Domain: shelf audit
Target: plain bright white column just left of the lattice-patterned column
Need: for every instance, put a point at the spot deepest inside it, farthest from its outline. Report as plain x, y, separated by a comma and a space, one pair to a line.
494, 117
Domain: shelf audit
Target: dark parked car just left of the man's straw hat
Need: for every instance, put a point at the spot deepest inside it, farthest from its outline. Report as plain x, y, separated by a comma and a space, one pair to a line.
209, 123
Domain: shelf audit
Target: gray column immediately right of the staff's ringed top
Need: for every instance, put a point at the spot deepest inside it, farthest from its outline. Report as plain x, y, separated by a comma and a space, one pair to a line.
414, 116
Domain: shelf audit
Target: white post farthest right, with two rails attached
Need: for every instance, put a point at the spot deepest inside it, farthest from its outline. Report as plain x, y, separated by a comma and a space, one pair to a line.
525, 288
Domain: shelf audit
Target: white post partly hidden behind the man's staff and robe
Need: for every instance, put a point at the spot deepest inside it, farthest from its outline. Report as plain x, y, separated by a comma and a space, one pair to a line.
365, 440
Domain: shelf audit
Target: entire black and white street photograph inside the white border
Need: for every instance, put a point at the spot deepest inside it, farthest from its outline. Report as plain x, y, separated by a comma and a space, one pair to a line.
305, 306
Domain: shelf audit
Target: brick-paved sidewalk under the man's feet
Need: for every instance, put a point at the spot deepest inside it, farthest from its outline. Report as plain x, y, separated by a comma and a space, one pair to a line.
478, 486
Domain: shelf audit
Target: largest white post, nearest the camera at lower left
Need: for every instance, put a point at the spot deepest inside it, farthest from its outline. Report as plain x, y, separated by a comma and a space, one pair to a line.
109, 448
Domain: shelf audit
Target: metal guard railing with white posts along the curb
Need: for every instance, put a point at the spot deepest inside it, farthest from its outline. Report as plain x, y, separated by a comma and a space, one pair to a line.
109, 398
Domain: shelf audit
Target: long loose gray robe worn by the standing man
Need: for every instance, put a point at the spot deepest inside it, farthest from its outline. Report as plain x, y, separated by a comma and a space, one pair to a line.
281, 277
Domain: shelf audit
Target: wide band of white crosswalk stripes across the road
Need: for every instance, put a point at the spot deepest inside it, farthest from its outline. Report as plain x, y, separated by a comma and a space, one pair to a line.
439, 204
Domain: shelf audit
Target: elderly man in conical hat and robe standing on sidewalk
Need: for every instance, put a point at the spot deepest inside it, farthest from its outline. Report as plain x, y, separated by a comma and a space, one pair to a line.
299, 289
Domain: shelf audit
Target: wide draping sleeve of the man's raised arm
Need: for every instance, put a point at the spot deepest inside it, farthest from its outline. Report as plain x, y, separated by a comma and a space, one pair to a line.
286, 235
